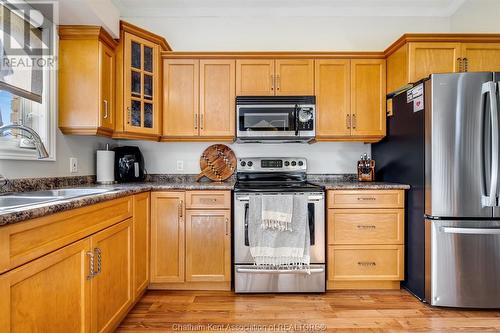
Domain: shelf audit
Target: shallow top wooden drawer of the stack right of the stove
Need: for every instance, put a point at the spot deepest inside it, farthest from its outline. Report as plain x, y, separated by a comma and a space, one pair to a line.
366, 199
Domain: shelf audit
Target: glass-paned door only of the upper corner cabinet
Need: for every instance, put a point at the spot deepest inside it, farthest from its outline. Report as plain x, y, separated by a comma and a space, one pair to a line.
141, 71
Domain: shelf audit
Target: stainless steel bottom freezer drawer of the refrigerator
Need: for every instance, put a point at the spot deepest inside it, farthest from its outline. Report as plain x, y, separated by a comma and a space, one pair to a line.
465, 264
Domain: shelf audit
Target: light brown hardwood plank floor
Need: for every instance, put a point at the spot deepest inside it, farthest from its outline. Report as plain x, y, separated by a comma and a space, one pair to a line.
340, 311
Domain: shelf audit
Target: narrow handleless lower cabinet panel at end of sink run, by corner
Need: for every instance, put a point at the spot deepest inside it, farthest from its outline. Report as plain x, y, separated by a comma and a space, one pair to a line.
141, 244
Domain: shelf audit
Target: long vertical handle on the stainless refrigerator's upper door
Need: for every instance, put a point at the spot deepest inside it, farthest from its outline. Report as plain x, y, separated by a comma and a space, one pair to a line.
489, 88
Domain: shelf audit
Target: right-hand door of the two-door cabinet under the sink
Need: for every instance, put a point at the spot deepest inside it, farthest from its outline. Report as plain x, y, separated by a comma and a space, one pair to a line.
112, 284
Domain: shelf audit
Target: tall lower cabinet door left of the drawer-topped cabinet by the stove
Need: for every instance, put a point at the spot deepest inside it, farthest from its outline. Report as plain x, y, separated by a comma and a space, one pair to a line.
167, 237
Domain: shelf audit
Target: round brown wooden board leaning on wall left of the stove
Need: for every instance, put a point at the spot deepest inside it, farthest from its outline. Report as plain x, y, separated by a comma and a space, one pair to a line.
217, 163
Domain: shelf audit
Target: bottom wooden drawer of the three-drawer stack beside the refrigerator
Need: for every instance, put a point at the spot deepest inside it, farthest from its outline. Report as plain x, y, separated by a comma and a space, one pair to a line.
363, 262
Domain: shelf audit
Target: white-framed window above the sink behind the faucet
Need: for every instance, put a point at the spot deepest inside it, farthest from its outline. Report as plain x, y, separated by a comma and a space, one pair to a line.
27, 78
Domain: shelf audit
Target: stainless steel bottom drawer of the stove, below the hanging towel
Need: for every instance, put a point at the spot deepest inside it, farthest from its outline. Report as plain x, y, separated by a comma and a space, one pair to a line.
249, 279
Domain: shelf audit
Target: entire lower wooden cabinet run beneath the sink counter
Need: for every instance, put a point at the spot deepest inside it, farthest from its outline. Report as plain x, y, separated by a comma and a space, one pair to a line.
81, 280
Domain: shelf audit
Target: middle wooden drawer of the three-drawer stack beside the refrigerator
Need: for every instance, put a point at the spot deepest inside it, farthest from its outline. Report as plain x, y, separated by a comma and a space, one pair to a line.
365, 226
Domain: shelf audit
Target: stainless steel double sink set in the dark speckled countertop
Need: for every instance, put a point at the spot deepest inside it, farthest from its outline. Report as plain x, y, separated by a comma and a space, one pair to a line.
12, 201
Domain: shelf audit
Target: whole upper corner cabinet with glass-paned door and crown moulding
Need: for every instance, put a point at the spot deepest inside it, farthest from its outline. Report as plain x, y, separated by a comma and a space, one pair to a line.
138, 88
